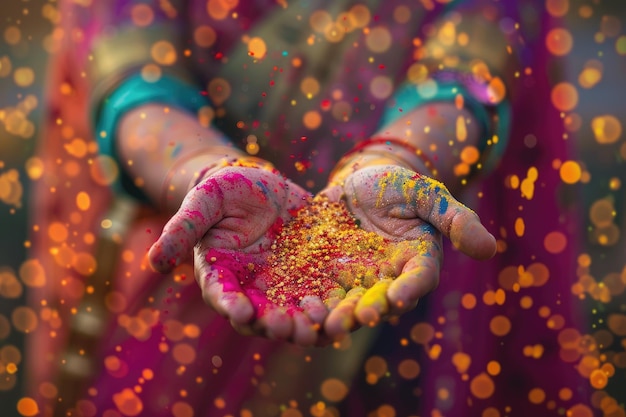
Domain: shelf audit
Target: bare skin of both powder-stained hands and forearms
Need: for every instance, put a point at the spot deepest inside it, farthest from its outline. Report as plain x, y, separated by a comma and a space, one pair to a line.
237, 210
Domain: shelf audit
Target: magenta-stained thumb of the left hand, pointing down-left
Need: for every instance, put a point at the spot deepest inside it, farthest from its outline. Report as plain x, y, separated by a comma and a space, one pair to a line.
200, 210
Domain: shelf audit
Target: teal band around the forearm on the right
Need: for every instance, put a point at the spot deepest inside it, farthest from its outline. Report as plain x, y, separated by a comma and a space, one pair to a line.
408, 97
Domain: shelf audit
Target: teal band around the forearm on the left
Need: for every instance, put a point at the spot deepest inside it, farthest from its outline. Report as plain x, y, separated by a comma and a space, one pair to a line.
132, 93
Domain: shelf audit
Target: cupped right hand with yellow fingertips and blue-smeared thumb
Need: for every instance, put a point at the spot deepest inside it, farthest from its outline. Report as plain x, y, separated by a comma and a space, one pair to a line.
412, 211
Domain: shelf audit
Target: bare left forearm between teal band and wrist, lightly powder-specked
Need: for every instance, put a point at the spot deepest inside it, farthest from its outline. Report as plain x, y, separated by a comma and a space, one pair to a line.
164, 150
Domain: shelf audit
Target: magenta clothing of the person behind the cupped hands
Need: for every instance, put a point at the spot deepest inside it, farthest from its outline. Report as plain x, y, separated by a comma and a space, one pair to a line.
156, 371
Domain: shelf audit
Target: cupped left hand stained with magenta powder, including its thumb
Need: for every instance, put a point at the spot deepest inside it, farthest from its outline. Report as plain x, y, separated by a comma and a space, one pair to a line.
229, 221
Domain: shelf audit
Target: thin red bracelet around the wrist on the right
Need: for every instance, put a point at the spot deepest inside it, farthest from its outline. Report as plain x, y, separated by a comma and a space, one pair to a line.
362, 146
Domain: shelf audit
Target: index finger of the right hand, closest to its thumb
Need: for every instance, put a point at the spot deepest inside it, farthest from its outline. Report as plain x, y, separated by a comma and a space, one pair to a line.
420, 275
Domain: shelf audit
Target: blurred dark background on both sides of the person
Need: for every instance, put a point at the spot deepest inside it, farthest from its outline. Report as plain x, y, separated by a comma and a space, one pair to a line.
590, 46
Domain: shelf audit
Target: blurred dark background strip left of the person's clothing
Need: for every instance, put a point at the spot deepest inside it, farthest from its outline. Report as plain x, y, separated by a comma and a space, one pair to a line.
25, 37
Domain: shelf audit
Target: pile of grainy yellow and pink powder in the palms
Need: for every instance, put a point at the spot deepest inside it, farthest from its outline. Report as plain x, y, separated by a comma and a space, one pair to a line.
321, 252
